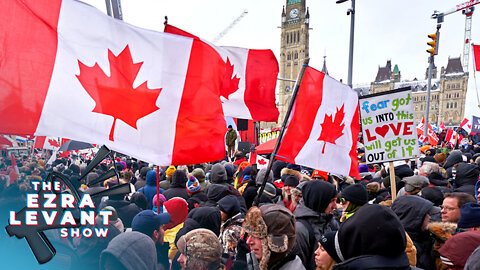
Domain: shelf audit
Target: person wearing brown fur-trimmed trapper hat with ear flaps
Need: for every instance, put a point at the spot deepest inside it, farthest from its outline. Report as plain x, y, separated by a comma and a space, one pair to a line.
271, 236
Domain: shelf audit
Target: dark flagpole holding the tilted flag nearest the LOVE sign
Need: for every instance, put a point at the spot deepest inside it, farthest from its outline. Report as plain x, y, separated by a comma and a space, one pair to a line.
298, 82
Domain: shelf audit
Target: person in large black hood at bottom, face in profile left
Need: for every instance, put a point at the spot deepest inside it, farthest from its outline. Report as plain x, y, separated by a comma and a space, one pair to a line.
373, 238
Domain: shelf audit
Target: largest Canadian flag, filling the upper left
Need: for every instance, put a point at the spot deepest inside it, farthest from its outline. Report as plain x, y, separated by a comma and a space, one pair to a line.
70, 71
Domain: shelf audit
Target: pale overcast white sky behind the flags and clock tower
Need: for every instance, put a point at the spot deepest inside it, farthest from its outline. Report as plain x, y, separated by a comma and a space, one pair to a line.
384, 29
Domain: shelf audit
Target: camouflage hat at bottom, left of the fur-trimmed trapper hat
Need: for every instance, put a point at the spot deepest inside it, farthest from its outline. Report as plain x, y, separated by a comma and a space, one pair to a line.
200, 244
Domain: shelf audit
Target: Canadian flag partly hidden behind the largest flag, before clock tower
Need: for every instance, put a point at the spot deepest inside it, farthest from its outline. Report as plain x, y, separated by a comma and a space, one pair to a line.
248, 89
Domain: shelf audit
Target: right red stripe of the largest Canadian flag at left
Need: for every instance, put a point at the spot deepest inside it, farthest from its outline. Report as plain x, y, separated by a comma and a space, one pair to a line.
200, 100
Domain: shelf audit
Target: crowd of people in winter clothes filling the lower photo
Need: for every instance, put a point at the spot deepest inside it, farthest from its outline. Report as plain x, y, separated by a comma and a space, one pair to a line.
208, 216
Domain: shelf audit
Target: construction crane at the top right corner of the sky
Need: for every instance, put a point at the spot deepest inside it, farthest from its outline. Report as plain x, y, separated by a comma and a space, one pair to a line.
467, 9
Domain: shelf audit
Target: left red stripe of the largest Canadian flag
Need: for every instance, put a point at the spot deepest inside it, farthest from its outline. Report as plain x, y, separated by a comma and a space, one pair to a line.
38, 59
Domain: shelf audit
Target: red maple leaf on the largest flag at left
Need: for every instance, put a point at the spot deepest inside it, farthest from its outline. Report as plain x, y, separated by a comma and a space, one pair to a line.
115, 95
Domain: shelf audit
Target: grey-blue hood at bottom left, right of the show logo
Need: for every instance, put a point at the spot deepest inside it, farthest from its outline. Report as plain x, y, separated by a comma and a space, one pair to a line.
134, 250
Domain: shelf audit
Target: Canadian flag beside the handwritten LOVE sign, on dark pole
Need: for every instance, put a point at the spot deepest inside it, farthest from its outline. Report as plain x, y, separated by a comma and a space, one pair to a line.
324, 125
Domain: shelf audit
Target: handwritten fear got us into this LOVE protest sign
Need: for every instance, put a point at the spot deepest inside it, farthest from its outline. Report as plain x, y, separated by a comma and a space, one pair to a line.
388, 126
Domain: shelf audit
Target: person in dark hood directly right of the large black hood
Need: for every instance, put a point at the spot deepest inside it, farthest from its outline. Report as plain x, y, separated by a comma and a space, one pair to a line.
413, 212
